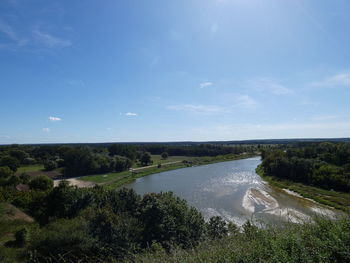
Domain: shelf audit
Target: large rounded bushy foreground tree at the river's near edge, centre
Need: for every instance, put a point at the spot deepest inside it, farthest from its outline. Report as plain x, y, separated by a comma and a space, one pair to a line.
169, 221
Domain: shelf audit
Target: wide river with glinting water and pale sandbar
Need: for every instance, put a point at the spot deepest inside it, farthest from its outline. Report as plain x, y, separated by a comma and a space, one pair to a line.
233, 191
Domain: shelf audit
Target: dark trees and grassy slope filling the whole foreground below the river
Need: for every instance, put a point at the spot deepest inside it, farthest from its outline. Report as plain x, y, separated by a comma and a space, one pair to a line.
100, 225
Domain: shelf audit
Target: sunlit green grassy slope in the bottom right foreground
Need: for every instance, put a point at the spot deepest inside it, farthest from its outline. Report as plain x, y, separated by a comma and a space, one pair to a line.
324, 241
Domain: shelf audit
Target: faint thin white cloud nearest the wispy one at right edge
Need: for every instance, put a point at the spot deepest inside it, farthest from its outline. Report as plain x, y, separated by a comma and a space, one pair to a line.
270, 85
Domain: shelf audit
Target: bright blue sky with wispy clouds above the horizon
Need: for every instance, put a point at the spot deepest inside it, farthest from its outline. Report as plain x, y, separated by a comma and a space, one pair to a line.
99, 71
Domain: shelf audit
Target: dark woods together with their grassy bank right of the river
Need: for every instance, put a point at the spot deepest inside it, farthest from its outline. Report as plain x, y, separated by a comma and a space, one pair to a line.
320, 171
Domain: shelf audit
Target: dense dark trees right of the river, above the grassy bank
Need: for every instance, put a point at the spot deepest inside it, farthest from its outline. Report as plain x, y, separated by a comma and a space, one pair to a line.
325, 165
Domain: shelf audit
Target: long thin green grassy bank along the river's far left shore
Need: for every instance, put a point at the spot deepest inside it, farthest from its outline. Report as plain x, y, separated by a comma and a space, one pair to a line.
115, 180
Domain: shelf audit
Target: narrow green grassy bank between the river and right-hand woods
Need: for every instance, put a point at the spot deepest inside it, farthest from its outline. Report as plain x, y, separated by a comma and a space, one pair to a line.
337, 200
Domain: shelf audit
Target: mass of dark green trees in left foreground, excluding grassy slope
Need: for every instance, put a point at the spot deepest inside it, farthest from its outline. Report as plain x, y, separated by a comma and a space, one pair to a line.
107, 224
